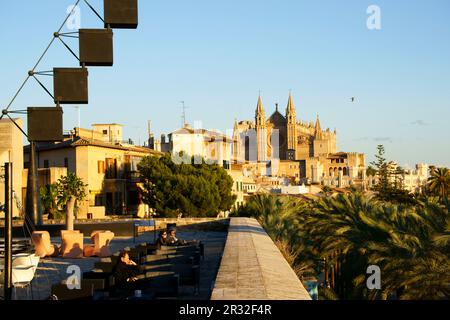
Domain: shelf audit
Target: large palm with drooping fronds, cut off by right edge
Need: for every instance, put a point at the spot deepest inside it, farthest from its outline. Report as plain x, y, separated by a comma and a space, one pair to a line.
415, 258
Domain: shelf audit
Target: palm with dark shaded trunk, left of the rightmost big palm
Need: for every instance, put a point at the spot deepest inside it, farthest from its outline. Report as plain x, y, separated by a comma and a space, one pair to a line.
342, 230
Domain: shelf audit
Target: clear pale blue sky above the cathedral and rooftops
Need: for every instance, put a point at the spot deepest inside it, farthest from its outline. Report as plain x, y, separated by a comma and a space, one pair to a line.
217, 55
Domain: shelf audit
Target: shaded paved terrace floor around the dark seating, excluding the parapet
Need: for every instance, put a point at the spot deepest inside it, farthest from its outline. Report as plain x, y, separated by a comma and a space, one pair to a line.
52, 271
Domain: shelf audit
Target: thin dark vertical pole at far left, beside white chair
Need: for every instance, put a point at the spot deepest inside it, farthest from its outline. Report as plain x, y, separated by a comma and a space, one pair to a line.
8, 232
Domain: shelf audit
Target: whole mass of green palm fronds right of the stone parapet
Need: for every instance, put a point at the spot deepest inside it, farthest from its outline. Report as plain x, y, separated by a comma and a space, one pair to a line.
335, 239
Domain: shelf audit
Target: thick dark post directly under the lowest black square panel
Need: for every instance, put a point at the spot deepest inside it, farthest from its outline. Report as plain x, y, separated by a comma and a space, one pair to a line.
32, 207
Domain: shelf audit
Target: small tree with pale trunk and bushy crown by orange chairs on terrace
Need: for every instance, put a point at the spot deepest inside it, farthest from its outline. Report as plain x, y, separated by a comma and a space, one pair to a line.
71, 189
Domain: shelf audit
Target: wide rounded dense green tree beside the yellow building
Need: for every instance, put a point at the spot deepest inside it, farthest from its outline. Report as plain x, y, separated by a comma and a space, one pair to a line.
195, 190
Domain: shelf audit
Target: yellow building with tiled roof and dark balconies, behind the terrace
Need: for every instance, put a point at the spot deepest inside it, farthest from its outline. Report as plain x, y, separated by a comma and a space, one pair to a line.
108, 168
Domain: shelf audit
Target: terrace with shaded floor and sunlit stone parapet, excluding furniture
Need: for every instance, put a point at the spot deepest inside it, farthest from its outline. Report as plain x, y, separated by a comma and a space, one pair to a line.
240, 262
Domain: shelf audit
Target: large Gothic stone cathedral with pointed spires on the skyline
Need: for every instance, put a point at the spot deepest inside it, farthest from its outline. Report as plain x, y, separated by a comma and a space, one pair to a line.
295, 144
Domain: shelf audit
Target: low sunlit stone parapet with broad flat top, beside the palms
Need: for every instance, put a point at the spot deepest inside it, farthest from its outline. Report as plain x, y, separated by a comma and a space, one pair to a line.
252, 267
